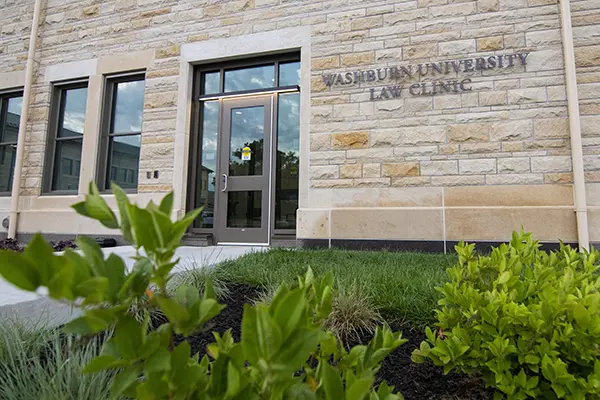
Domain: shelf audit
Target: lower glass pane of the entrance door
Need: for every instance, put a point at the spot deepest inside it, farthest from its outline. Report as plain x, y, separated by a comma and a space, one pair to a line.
244, 209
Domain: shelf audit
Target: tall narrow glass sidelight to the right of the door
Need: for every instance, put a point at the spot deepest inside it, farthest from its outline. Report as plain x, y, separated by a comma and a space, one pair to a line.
288, 158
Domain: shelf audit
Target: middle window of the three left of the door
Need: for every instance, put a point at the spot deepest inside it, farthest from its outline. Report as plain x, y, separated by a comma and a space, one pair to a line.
67, 120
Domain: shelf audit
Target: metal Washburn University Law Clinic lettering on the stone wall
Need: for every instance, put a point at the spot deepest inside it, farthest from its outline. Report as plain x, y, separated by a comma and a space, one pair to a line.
433, 70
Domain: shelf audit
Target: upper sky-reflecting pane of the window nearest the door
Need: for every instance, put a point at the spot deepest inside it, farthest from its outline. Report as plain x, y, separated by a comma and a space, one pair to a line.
129, 104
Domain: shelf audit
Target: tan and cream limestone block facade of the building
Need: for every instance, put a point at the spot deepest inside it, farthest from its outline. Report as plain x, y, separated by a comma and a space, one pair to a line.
382, 159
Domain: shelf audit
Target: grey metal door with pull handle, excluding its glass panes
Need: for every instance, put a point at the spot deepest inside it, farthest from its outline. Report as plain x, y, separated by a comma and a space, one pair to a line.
232, 236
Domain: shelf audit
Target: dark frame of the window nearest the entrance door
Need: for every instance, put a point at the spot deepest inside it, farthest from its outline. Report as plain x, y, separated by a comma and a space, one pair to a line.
103, 175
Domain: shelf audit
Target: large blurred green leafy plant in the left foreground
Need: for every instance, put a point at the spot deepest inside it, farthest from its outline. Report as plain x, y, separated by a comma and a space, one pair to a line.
284, 351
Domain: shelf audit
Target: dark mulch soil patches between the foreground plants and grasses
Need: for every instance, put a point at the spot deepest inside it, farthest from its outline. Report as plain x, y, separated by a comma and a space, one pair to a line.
414, 381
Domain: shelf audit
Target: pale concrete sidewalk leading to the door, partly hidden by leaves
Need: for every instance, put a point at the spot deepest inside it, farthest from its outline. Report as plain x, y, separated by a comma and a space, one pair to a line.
26, 306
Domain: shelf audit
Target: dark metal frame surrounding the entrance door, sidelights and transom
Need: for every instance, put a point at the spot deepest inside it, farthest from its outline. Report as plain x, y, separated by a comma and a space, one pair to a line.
197, 117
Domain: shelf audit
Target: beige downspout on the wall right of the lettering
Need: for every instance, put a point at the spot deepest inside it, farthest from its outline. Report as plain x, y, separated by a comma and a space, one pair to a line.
574, 127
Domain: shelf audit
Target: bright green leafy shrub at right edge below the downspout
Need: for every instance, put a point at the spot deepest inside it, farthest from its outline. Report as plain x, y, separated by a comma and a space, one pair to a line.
528, 320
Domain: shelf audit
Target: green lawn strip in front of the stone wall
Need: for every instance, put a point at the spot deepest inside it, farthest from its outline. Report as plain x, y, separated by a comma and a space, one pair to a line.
400, 284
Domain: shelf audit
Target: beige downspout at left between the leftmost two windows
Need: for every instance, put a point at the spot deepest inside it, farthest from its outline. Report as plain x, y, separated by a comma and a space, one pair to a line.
16, 189
